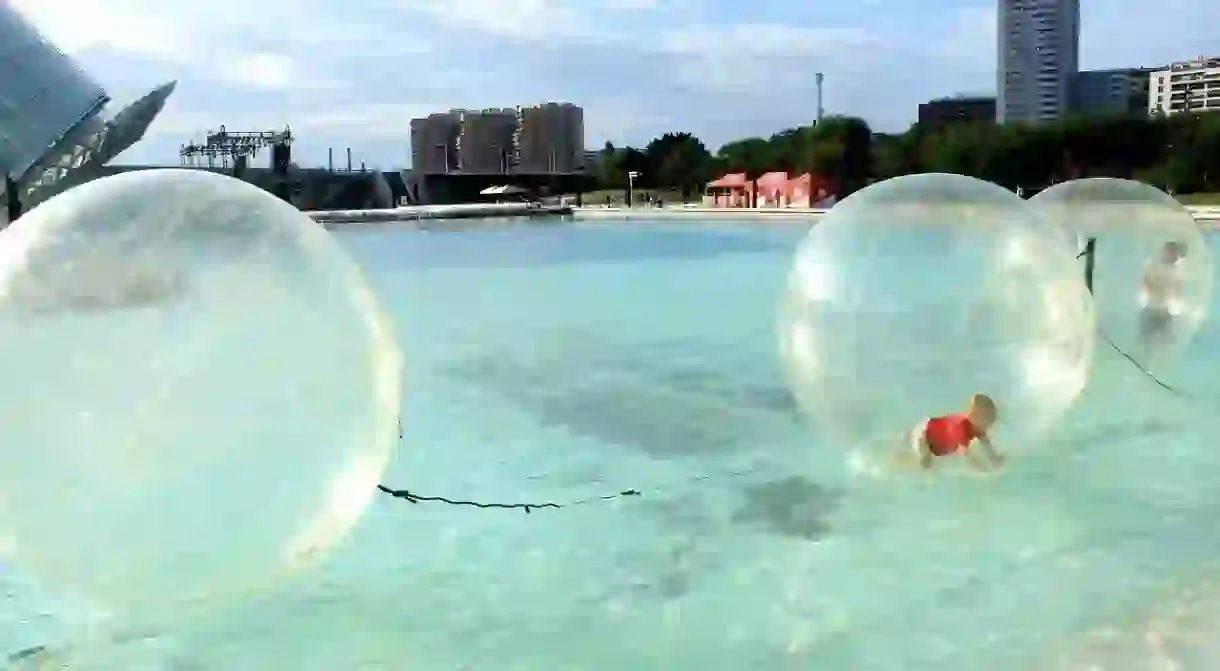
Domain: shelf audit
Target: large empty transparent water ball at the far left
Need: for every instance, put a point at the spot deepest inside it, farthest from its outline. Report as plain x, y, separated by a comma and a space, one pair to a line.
202, 391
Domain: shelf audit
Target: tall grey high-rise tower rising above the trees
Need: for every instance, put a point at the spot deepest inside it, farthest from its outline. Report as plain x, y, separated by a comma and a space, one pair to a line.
1039, 58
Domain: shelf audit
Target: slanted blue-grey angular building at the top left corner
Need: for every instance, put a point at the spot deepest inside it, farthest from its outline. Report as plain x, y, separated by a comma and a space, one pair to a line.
54, 131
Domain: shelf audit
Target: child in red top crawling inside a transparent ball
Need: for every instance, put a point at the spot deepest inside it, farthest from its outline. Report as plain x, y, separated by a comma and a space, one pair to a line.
963, 434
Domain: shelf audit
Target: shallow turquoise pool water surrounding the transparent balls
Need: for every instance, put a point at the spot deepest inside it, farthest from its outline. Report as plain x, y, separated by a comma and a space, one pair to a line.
567, 363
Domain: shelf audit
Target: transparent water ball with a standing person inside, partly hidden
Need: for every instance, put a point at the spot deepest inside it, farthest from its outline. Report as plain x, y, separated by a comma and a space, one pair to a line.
1152, 269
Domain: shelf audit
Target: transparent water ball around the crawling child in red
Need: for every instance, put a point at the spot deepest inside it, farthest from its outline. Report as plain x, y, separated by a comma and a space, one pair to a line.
916, 293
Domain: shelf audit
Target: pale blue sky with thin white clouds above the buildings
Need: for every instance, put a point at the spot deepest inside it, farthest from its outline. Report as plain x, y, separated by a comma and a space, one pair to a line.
353, 73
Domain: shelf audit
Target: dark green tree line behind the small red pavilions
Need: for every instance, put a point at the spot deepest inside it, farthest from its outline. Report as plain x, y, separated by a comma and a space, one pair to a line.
1179, 153
